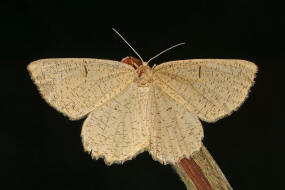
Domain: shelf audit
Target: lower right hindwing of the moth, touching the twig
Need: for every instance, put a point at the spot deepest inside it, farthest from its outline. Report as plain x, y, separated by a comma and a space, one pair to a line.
175, 133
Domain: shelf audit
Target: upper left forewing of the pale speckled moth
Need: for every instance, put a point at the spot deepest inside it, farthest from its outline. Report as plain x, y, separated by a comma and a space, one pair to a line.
76, 86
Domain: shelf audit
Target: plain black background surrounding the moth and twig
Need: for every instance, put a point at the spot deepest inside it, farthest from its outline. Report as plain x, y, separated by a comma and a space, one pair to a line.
41, 149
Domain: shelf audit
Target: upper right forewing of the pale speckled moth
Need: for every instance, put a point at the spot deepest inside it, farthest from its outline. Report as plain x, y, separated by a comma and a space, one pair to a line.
209, 88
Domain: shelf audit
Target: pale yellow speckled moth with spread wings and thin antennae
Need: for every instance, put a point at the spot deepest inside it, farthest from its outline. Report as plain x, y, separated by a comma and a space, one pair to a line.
133, 107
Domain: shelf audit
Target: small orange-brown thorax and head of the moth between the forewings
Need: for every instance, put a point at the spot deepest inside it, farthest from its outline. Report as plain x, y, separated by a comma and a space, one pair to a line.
144, 75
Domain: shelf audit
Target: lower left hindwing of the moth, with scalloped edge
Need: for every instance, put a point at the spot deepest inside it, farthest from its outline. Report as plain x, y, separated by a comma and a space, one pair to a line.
116, 131
